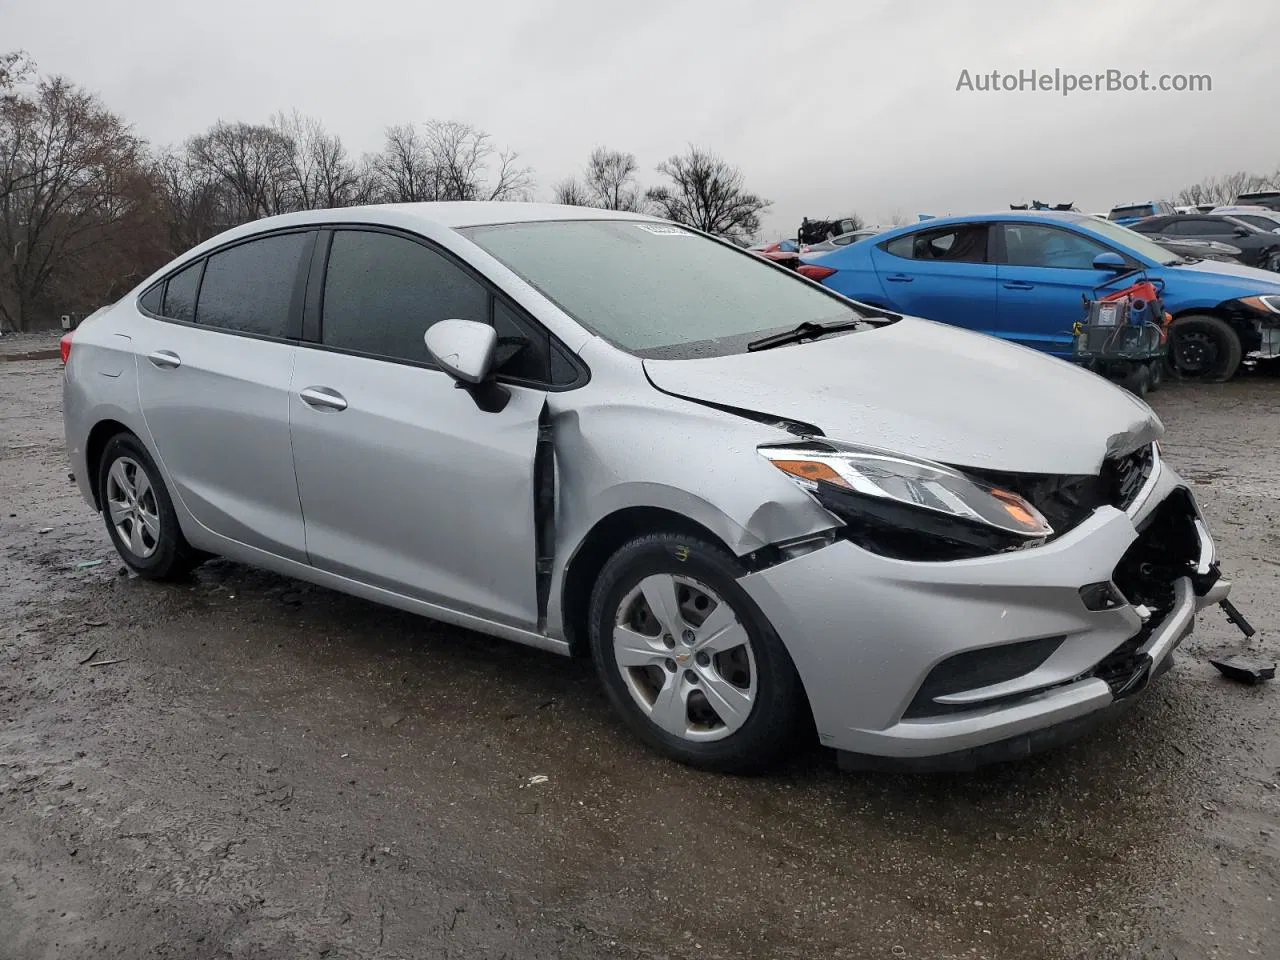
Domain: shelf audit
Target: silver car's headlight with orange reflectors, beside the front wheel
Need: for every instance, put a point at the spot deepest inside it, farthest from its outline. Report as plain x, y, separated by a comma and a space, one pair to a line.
897, 501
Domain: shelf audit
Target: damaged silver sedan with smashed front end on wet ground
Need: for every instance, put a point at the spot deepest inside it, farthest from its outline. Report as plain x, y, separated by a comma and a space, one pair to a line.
762, 509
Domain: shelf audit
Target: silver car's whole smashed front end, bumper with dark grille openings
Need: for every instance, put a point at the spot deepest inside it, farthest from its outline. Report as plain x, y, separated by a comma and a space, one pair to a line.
988, 657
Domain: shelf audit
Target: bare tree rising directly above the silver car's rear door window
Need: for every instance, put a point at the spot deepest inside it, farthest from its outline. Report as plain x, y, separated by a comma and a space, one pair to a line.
254, 163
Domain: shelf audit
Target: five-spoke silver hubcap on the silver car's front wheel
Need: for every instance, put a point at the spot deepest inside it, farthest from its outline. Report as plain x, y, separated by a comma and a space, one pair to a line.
685, 657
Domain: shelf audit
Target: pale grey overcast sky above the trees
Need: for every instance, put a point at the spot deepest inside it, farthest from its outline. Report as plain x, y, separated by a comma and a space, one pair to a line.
826, 107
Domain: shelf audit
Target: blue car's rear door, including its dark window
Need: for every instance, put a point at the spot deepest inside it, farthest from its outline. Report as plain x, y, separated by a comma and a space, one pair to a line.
941, 275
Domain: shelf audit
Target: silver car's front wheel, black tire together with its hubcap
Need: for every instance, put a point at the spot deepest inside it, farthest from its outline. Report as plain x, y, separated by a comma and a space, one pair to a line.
751, 679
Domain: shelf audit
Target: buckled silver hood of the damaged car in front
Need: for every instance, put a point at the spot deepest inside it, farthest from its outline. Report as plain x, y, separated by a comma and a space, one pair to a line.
930, 391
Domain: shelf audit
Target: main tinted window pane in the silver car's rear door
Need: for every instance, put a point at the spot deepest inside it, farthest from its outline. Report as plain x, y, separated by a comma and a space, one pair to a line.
250, 287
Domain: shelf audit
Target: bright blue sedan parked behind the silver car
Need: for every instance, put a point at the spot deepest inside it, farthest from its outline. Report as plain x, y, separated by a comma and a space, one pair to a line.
1022, 277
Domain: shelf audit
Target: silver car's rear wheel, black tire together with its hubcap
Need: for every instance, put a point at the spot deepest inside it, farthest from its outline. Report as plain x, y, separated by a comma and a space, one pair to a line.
139, 513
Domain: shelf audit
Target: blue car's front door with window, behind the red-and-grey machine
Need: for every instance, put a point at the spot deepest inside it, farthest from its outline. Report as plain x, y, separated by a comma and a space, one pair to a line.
1045, 273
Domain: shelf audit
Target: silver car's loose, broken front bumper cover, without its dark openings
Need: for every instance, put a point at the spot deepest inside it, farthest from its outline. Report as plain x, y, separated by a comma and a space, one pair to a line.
867, 632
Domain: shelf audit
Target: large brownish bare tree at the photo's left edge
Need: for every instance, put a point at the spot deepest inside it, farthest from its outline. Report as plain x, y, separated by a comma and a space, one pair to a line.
75, 182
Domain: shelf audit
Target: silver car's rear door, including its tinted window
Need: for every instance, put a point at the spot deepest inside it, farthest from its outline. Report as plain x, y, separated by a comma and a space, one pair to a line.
216, 360
